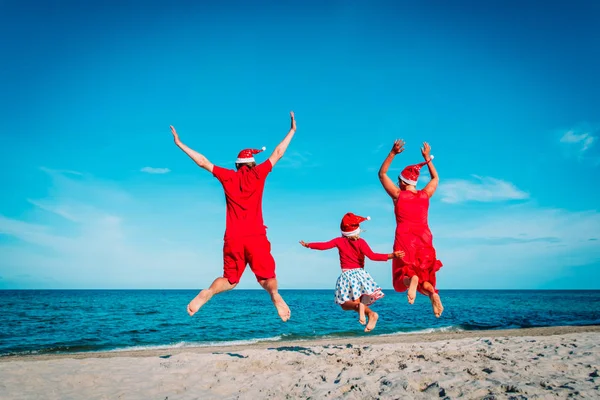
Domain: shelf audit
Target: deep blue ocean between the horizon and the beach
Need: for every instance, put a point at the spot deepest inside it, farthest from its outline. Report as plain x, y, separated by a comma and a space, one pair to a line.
67, 321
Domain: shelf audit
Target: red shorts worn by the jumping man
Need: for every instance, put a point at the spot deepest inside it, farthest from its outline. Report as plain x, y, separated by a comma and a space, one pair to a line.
253, 250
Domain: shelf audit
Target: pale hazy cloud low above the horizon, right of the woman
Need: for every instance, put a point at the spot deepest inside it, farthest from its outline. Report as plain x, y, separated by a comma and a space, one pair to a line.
520, 247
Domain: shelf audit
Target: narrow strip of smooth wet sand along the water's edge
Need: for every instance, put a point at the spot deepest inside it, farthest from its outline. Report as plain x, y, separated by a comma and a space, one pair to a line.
383, 339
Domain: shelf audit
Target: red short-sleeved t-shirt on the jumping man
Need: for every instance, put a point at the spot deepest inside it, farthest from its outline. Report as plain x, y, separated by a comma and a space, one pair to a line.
243, 194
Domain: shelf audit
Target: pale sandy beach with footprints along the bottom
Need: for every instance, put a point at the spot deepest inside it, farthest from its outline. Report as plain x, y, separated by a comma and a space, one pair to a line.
558, 362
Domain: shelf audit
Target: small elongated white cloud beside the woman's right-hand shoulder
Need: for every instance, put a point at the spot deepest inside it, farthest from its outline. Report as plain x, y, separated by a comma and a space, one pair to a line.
481, 189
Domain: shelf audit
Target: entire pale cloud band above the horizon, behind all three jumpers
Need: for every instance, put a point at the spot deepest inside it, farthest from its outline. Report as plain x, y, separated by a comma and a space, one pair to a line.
89, 233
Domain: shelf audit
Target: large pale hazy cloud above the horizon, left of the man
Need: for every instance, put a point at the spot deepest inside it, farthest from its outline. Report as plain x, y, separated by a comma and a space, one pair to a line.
92, 234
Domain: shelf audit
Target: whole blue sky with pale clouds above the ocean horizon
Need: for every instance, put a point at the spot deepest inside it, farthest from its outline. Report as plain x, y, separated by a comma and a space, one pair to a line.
96, 195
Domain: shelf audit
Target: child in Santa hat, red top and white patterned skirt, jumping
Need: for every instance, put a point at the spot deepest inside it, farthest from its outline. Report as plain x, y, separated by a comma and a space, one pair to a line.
355, 288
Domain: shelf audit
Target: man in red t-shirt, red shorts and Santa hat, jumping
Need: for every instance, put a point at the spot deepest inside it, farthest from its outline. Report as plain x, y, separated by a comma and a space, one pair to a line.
245, 233
